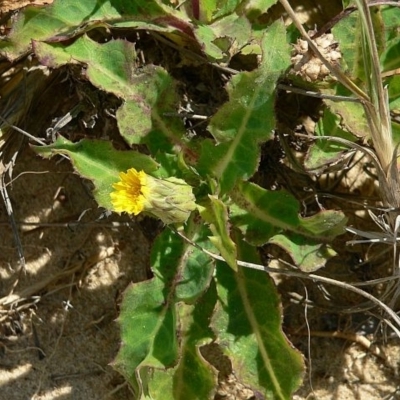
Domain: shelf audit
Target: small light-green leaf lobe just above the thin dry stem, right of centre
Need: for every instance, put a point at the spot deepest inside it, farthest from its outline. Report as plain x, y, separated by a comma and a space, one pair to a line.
307, 254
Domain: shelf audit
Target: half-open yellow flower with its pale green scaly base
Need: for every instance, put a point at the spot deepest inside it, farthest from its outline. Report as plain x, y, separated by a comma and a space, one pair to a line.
169, 199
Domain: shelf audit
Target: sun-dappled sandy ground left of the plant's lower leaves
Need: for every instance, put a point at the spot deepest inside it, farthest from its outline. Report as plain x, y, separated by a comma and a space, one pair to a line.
57, 342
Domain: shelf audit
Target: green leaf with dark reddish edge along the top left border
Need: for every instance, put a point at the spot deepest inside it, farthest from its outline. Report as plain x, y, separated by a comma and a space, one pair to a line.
68, 18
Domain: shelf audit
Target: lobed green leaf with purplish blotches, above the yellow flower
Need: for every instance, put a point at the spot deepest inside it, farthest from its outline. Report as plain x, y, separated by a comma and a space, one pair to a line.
149, 94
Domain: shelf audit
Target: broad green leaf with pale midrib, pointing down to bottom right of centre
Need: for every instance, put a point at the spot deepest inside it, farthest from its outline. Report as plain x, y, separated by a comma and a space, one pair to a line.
247, 323
